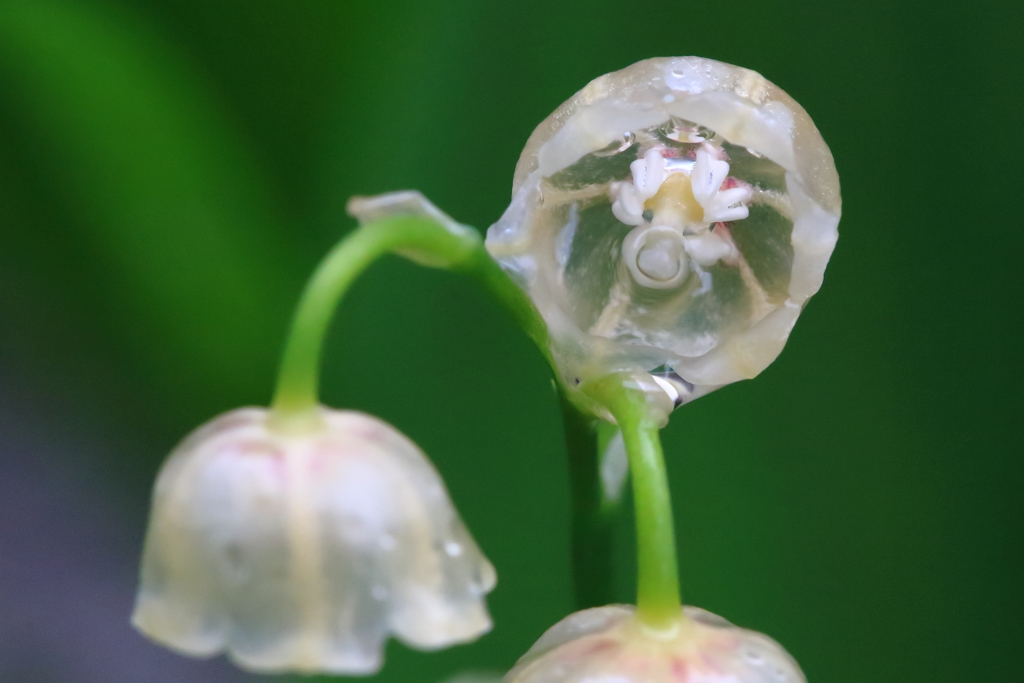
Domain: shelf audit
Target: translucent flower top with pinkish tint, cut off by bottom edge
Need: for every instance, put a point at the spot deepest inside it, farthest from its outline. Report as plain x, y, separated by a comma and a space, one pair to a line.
610, 646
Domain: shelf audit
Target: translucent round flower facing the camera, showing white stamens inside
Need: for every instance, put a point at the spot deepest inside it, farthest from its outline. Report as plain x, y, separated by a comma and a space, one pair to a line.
673, 218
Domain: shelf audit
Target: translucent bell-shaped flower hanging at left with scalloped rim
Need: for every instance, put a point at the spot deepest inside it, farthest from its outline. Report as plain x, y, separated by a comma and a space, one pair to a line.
306, 551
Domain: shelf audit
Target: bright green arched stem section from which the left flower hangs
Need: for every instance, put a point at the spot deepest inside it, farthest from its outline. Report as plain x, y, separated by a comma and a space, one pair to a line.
420, 239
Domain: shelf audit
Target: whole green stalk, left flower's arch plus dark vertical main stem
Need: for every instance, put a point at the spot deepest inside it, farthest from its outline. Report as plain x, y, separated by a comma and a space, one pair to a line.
428, 242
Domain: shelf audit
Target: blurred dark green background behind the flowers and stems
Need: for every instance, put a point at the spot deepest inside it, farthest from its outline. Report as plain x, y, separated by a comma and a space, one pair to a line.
172, 170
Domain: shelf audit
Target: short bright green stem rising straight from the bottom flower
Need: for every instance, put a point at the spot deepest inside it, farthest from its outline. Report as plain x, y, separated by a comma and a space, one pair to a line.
658, 583
